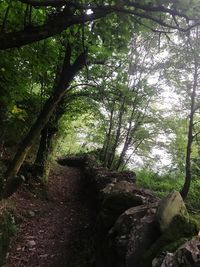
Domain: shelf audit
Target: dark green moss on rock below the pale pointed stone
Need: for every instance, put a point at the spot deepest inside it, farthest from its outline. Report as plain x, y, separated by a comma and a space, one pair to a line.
175, 235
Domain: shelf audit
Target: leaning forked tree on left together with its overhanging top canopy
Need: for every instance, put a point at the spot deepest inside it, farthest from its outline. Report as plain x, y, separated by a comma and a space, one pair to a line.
43, 19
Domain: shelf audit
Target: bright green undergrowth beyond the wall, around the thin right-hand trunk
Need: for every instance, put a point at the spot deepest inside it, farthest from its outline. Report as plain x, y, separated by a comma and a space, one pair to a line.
161, 185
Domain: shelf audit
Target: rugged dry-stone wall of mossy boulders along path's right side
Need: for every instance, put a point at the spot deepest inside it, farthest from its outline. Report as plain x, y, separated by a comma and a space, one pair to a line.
135, 228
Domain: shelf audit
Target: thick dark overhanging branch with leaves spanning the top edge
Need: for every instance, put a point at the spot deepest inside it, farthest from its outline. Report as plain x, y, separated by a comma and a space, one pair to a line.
53, 17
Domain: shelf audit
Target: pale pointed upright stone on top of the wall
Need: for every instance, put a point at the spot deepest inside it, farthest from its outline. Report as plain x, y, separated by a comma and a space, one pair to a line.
169, 207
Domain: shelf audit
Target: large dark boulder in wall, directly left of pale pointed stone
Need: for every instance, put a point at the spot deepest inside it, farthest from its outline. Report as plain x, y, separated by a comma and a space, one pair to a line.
132, 235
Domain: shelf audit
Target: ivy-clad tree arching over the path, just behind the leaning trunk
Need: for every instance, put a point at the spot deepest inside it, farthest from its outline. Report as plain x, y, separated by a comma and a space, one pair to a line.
75, 104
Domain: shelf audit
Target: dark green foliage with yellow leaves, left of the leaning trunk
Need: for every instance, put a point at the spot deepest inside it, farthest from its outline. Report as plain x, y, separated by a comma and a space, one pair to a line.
25, 83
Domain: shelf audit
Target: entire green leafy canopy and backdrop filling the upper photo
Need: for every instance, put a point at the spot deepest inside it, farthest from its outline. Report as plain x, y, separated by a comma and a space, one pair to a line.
112, 103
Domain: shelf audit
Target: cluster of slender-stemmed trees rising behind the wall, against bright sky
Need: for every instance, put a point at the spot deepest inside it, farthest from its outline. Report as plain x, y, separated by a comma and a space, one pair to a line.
127, 107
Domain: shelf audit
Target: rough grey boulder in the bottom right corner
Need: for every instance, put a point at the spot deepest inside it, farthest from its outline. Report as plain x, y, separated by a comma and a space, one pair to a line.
188, 255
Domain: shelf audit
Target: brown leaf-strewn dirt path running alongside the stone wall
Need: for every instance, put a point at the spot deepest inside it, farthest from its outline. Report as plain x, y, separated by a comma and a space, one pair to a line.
58, 232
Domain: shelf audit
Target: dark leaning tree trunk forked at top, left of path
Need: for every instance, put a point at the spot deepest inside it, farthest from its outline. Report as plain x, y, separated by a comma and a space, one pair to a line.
66, 76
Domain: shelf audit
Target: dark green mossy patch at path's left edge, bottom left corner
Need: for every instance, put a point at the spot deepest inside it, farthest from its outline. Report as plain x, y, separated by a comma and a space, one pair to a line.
7, 230
